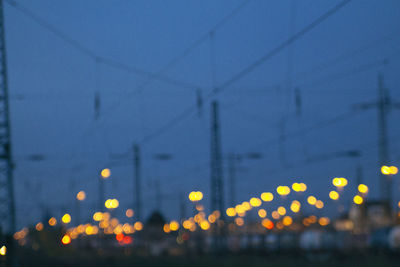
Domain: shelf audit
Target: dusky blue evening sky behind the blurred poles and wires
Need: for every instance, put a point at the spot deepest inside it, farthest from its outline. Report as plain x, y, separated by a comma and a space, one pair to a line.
52, 87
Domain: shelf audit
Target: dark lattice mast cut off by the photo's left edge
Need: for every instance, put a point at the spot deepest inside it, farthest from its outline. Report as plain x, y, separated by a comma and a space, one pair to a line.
7, 201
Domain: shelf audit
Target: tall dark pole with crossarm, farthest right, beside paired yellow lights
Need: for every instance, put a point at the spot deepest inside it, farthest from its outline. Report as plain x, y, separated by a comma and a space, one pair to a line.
383, 105
